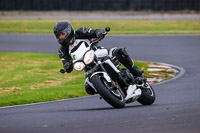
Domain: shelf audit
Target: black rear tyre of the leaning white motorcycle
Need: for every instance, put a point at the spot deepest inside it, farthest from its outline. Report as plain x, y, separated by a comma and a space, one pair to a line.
148, 95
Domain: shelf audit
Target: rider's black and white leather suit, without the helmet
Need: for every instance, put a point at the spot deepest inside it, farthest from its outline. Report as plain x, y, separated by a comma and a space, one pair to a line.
88, 33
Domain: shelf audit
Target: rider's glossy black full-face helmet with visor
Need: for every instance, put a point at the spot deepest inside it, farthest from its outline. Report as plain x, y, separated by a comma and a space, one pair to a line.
63, 32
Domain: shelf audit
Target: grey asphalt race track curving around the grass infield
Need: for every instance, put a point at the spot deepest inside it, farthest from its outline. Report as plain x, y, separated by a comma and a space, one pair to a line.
176, 110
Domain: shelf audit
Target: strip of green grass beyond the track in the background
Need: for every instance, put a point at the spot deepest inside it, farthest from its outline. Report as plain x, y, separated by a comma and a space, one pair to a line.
117, 26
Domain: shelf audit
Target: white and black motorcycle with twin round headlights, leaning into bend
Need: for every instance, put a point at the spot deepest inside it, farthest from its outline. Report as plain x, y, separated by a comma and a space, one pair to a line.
105, 77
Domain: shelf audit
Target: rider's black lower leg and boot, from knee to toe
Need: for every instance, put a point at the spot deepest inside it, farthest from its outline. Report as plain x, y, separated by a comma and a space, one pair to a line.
124, 58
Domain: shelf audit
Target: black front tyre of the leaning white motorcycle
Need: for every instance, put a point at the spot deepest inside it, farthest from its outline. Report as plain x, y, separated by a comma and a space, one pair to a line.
113, 97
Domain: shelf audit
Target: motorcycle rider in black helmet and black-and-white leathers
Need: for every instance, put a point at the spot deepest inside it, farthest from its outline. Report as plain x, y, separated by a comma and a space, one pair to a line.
66, 37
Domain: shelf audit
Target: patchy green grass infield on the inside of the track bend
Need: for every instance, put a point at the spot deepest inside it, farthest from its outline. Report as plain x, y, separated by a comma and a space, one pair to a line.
30, 78
